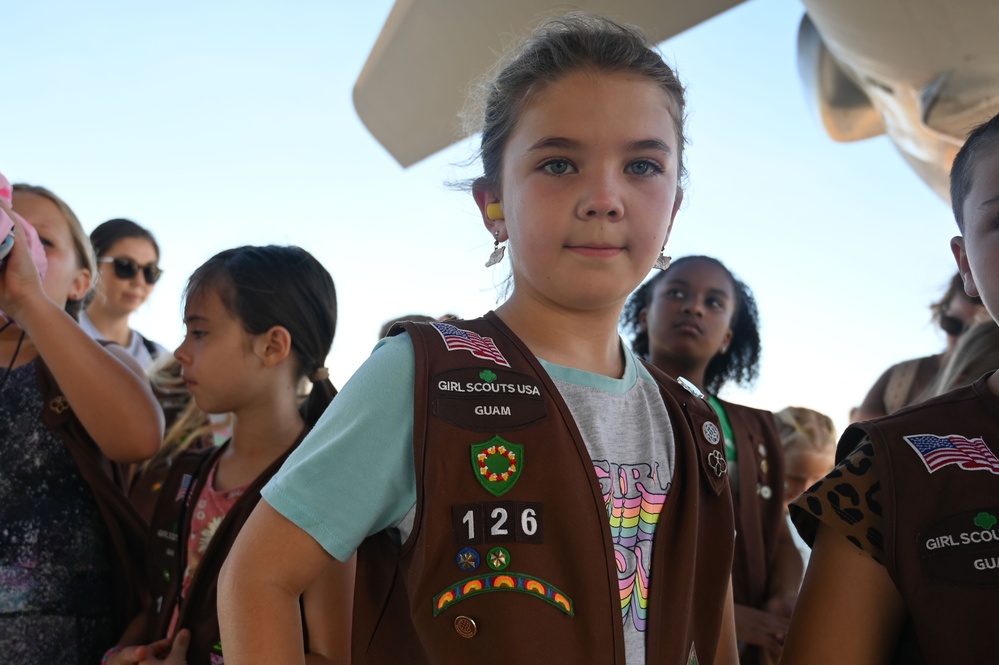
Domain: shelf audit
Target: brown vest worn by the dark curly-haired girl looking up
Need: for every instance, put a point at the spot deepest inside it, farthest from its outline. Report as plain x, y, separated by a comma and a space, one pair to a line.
759, 508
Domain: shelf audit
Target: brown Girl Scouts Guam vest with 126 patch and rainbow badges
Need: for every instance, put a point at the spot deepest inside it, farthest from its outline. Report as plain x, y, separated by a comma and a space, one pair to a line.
511, 558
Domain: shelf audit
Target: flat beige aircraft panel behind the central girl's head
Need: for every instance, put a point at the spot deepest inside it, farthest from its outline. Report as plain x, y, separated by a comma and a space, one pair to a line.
415, 83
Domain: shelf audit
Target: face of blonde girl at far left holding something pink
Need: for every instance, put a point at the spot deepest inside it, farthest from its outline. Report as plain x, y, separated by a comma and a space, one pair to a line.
64, 278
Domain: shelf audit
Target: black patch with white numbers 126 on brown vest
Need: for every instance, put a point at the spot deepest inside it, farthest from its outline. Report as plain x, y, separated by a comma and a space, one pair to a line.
498, 522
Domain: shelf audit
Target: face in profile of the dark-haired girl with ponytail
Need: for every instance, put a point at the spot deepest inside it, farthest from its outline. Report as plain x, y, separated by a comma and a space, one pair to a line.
217, 356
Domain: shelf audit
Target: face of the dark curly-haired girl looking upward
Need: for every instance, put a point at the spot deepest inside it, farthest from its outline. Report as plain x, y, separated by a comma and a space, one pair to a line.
689, 316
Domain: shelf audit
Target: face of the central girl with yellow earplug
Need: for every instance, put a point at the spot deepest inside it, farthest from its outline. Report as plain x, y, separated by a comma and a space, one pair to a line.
589, 189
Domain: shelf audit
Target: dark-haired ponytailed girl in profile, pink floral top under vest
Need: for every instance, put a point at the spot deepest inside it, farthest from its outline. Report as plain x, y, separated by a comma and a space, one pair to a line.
259, 319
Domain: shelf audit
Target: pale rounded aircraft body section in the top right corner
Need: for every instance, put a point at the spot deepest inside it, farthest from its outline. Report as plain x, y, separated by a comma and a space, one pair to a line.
930, 68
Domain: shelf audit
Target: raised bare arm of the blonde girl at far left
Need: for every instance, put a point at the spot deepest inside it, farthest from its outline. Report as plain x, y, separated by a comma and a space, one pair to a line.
114, 404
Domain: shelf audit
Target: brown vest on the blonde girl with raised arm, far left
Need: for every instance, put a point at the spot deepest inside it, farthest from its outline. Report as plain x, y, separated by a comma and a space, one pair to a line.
126, 529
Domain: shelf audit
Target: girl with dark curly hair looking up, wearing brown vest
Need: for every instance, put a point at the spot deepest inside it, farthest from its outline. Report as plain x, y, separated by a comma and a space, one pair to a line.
697, 321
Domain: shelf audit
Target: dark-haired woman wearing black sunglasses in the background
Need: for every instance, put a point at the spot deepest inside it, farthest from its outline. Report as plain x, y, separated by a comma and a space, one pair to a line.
127, 259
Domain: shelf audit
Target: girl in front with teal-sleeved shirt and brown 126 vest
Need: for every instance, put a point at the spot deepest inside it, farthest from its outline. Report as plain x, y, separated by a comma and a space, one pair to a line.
504, 480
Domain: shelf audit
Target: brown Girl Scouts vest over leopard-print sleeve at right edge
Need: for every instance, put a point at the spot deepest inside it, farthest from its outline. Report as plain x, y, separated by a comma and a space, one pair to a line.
939, 471
